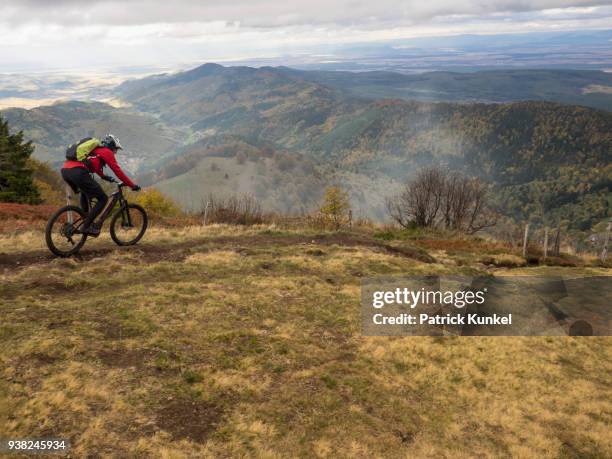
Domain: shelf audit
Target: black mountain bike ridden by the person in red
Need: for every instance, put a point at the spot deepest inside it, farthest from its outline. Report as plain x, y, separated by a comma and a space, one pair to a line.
64, 233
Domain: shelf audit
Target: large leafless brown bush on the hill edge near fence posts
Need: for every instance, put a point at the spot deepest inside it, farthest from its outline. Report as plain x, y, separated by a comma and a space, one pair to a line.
439, 198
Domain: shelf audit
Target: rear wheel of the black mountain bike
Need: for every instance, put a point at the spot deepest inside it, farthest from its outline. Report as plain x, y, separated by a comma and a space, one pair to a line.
62, 233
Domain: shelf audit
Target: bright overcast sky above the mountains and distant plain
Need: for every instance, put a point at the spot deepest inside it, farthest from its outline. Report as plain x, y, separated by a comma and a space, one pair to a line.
42, 34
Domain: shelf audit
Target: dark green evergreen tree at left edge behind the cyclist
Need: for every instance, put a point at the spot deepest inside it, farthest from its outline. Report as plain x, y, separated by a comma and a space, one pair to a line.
16, 183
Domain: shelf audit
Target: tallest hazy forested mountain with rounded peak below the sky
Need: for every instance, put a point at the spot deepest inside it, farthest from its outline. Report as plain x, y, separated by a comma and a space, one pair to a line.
249, 99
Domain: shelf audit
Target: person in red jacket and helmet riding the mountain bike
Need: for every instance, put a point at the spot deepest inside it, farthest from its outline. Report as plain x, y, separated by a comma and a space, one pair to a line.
78, 175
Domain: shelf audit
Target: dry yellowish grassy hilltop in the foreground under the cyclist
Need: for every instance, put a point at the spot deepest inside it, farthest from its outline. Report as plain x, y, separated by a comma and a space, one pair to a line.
224, 341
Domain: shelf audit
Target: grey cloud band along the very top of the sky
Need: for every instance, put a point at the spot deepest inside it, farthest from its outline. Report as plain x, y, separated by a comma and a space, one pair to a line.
266, 13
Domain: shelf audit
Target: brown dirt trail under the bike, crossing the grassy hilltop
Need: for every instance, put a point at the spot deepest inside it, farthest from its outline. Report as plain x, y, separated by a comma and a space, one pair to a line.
176, 252
